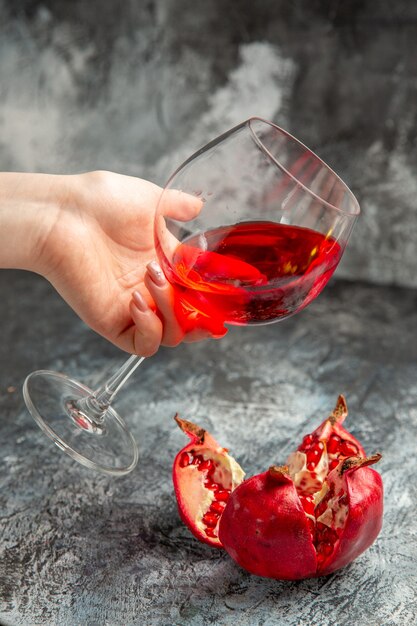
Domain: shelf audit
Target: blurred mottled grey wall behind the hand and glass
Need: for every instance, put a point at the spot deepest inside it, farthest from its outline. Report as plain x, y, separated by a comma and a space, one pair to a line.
137, 87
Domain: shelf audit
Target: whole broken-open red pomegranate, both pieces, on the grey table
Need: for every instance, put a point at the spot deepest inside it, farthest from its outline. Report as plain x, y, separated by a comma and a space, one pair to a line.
307, 518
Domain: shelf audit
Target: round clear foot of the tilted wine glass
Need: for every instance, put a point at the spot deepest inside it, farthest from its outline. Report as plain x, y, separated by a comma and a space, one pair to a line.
105, 445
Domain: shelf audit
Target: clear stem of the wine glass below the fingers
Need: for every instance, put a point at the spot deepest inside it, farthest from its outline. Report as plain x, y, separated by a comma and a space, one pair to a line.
96, 405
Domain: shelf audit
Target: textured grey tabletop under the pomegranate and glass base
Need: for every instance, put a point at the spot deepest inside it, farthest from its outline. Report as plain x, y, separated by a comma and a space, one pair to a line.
83, 549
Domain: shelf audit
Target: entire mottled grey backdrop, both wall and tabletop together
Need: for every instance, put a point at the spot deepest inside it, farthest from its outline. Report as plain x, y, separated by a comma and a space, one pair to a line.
135, 87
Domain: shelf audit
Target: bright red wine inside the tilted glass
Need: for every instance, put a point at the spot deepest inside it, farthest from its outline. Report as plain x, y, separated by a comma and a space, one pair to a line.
249, 273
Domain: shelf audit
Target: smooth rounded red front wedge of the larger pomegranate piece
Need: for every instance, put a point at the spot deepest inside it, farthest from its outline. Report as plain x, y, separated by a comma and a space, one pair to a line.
265, 530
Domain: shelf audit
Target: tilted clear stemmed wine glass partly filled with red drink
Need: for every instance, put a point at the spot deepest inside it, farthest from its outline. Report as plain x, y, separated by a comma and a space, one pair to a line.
270, 226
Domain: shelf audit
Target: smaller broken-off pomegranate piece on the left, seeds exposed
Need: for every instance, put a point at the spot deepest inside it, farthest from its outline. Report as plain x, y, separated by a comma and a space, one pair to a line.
204, 475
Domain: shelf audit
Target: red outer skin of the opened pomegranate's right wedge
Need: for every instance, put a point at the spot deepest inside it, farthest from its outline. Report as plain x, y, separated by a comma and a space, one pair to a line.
365, 495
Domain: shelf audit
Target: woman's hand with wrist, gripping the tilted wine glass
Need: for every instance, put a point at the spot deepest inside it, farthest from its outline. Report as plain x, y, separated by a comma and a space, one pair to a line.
91, 236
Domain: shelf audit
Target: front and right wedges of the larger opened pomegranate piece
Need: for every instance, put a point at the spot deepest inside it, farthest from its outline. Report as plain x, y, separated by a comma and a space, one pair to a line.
267, 530
